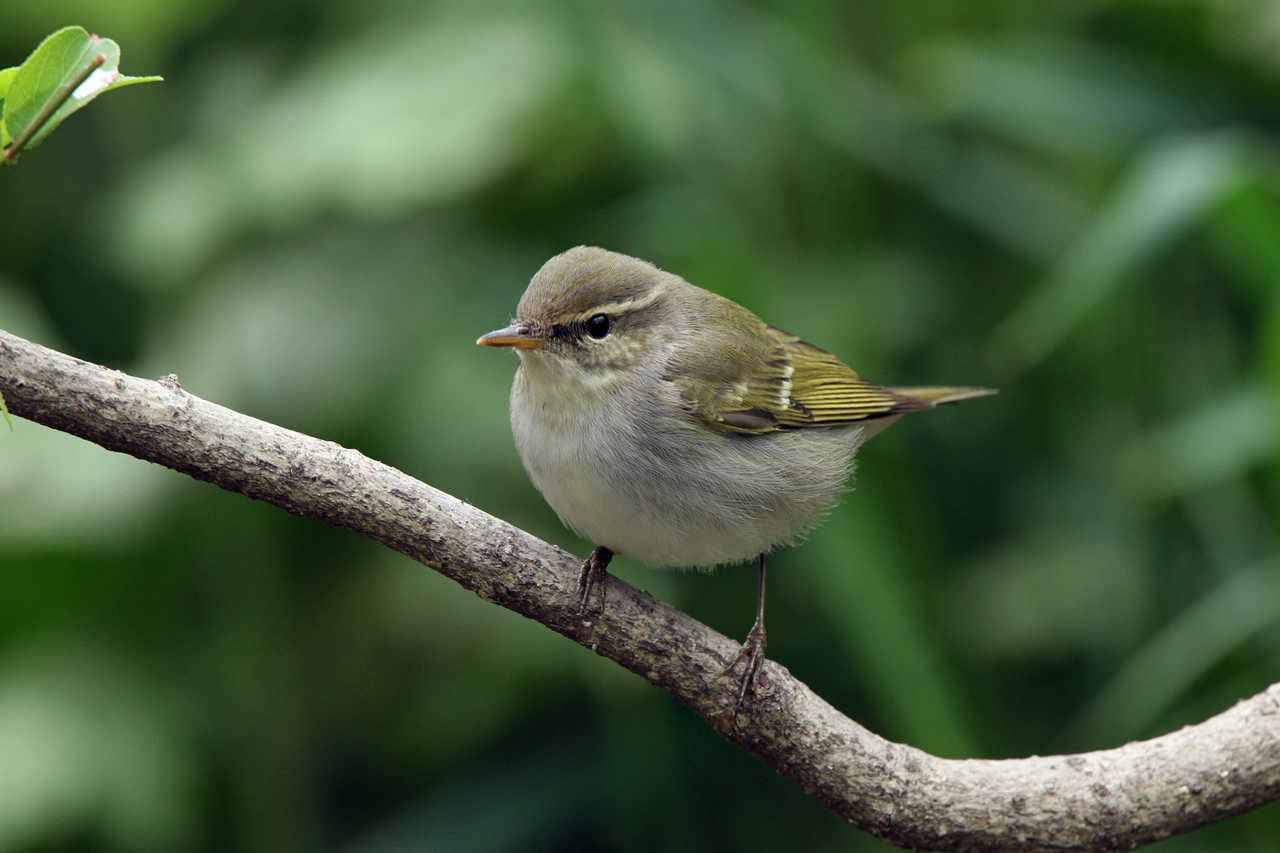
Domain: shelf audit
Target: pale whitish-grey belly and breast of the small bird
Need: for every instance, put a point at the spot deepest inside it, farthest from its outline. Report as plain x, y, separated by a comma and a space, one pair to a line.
642, 481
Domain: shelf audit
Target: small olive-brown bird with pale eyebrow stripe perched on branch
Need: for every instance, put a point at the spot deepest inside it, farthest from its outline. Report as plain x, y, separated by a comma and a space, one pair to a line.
673, 426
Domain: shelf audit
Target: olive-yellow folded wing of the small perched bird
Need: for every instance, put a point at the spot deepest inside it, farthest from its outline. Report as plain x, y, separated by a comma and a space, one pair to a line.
774, 381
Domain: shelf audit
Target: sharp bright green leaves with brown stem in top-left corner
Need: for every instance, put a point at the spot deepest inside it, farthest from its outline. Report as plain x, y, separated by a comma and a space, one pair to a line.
43, 83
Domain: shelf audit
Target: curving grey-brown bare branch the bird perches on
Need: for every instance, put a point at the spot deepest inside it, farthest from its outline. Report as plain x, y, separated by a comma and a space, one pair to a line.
1112, 800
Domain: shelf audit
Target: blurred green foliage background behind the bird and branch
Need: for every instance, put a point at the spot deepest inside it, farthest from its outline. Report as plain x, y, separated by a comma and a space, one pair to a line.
327, 203
